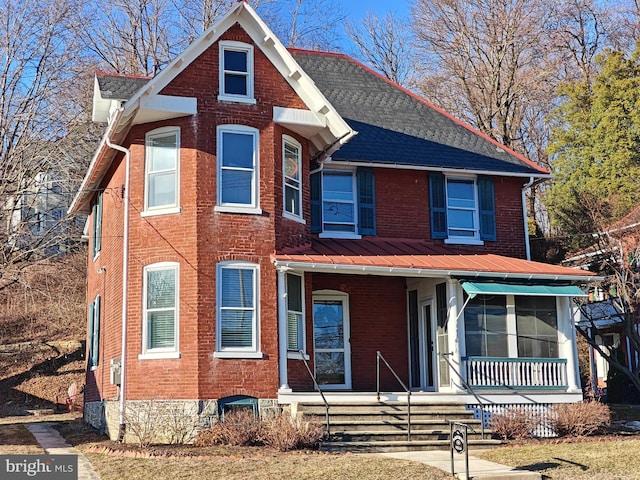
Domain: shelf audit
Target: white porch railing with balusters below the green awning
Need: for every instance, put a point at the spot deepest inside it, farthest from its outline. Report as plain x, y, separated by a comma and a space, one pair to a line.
516, 373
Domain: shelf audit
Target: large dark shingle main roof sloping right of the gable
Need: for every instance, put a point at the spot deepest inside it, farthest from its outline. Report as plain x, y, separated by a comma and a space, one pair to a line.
395, 127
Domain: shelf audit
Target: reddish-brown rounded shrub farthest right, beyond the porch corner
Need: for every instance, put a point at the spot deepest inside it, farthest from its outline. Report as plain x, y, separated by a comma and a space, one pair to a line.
580, 419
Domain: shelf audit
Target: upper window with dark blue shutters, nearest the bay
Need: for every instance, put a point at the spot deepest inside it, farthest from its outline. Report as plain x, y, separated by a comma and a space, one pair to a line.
343, 203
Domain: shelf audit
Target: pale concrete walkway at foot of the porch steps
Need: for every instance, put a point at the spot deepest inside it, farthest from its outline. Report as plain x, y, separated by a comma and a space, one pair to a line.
478, 468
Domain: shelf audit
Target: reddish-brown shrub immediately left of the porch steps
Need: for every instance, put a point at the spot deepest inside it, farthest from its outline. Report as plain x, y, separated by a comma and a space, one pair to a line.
283, 433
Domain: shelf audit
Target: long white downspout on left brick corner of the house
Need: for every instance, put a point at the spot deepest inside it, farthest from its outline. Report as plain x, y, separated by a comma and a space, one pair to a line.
125, 280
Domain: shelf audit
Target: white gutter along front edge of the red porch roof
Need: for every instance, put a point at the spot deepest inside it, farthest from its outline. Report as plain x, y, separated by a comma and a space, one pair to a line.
424, 272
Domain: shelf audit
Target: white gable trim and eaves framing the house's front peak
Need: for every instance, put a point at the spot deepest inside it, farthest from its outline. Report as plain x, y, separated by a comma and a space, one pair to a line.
147, 104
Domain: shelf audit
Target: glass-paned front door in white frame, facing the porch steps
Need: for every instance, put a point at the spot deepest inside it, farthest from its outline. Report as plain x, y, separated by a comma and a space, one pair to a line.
332, 355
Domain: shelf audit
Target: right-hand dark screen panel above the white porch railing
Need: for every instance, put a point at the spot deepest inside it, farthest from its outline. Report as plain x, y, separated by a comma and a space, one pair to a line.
537, 327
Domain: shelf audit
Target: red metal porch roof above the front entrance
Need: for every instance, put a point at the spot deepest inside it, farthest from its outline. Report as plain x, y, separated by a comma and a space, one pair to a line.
408, 257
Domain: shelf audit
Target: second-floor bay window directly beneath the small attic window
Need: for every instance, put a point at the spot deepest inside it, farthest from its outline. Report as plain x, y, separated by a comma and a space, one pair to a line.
237, 169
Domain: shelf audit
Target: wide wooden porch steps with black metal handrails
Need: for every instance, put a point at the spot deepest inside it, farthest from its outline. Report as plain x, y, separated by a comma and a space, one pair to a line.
382, 426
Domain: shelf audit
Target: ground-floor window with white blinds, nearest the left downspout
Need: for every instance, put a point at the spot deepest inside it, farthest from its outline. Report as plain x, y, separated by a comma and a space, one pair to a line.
160, 310
